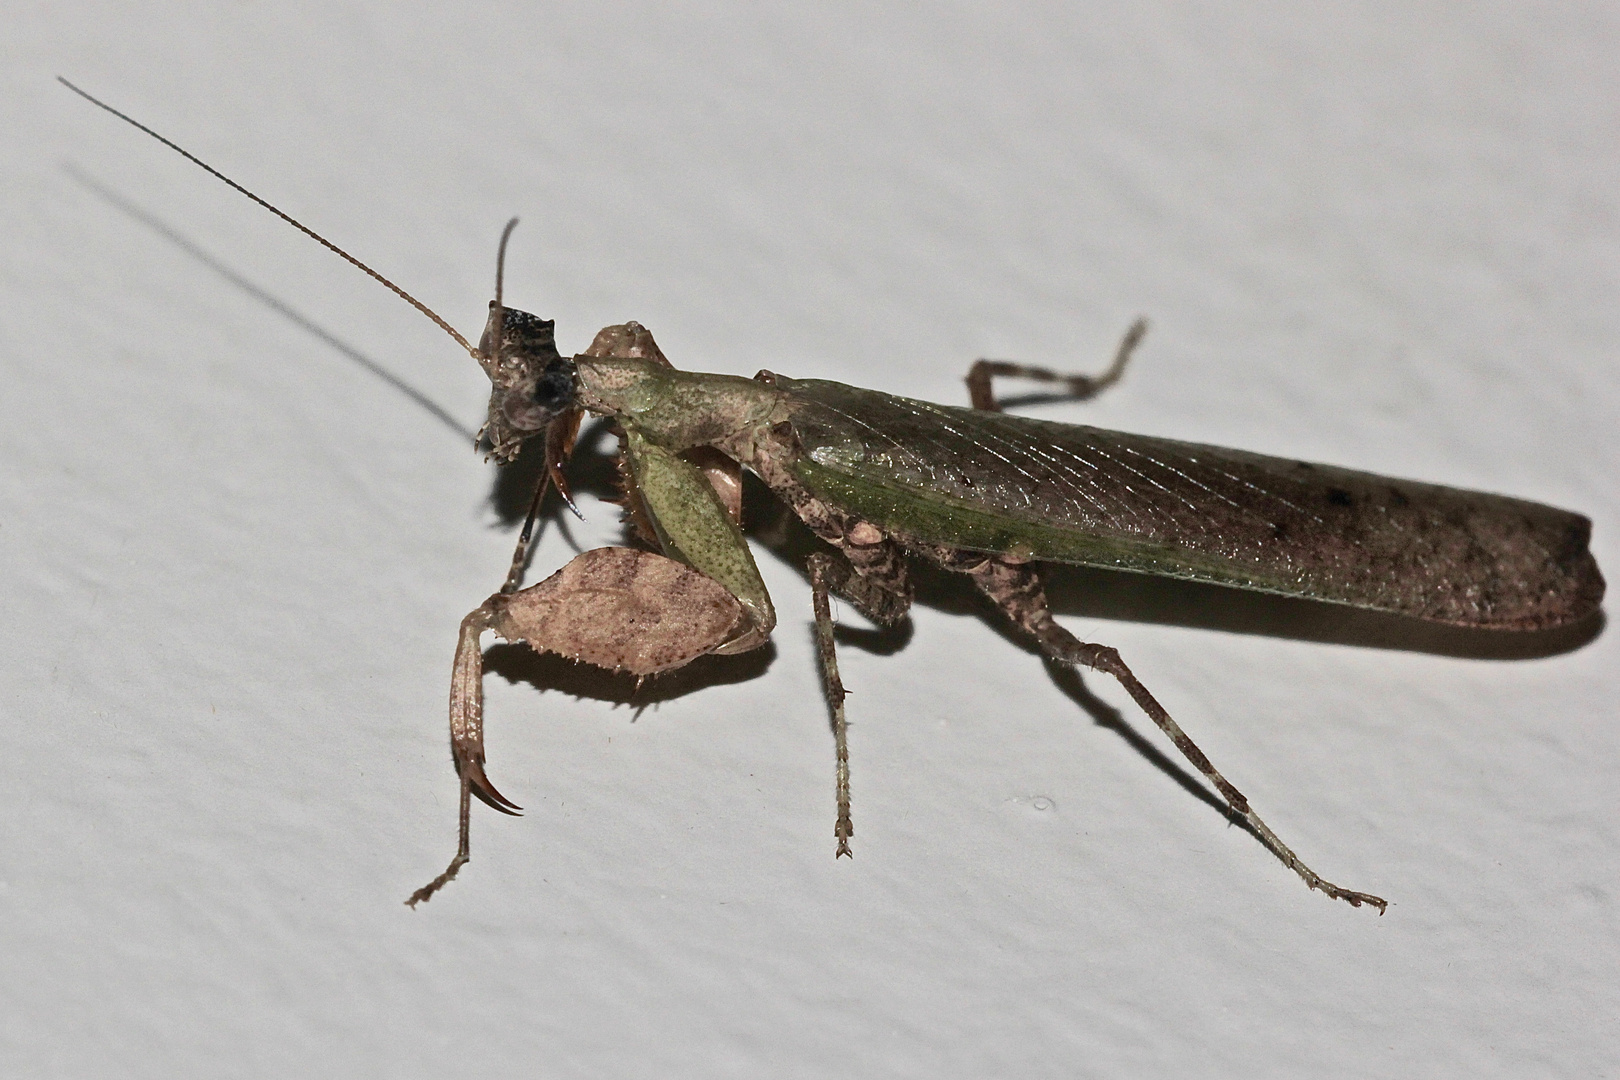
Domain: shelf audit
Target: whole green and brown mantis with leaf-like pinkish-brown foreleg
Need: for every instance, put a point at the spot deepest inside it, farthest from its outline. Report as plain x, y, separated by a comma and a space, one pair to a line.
973, 490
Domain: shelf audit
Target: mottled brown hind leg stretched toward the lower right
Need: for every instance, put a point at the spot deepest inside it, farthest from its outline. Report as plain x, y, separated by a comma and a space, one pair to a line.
1018, 592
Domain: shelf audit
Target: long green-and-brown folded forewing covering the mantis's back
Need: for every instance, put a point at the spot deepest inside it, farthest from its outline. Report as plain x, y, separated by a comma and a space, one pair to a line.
1064, 493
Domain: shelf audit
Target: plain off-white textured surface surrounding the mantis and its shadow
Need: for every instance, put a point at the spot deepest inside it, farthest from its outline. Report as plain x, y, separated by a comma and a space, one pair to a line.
232, 559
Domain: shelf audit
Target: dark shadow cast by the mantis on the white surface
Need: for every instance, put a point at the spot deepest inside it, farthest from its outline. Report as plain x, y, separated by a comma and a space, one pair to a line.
1072, 590
